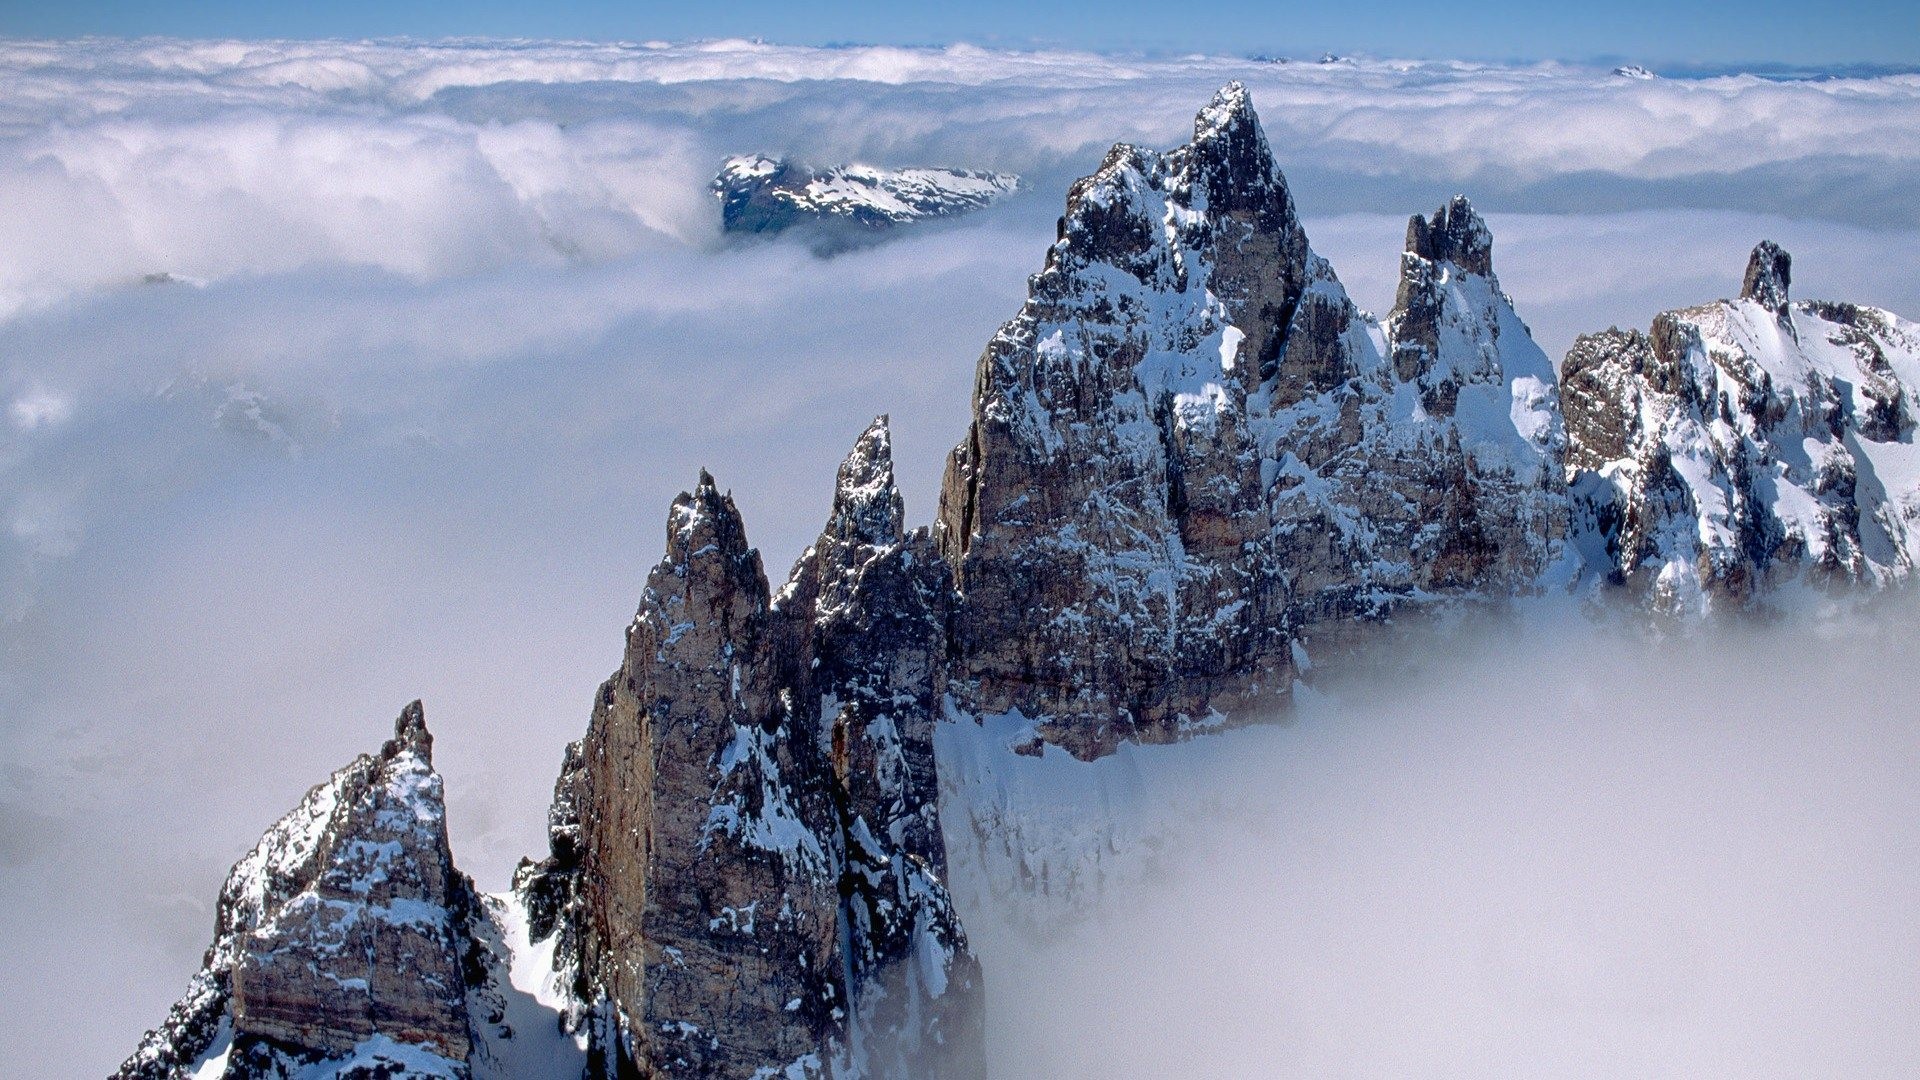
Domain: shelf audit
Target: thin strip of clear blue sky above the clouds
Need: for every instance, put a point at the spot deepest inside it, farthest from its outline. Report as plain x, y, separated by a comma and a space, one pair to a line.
1675, 36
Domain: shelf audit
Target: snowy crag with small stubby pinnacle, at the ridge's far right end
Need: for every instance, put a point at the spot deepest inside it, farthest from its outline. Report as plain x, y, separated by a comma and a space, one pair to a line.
1746, 445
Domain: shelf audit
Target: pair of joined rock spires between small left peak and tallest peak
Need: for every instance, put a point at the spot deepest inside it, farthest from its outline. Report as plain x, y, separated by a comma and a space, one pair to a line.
746, 866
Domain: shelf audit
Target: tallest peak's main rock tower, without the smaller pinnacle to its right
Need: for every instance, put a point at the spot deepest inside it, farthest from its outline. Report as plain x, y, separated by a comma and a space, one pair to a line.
1107, 512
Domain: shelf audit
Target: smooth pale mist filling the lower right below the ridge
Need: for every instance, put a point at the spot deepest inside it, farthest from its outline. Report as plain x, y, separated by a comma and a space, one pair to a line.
1495, 854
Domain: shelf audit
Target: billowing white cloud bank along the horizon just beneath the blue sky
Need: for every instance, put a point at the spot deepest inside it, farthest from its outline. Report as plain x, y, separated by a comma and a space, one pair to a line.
224, 159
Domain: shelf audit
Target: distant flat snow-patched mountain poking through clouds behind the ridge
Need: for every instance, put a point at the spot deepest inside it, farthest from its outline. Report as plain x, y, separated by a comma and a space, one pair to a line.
846, 205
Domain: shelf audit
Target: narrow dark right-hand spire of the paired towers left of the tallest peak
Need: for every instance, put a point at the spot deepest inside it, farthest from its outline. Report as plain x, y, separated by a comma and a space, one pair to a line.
869, 608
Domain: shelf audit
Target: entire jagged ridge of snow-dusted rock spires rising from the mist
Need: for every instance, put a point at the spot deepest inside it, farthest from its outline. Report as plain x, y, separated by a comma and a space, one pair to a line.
1191, 460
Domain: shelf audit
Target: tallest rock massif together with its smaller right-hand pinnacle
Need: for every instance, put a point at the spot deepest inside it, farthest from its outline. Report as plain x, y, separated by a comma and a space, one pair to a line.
1189, 449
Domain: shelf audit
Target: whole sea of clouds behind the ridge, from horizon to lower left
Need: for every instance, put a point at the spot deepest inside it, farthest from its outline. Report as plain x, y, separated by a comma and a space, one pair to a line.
341, 374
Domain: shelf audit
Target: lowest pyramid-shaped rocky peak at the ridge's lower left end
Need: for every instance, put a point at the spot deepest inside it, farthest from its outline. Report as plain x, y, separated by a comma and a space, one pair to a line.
343, 939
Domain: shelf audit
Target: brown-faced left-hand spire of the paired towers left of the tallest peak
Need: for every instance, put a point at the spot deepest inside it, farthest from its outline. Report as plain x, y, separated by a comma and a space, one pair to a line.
706, 856
